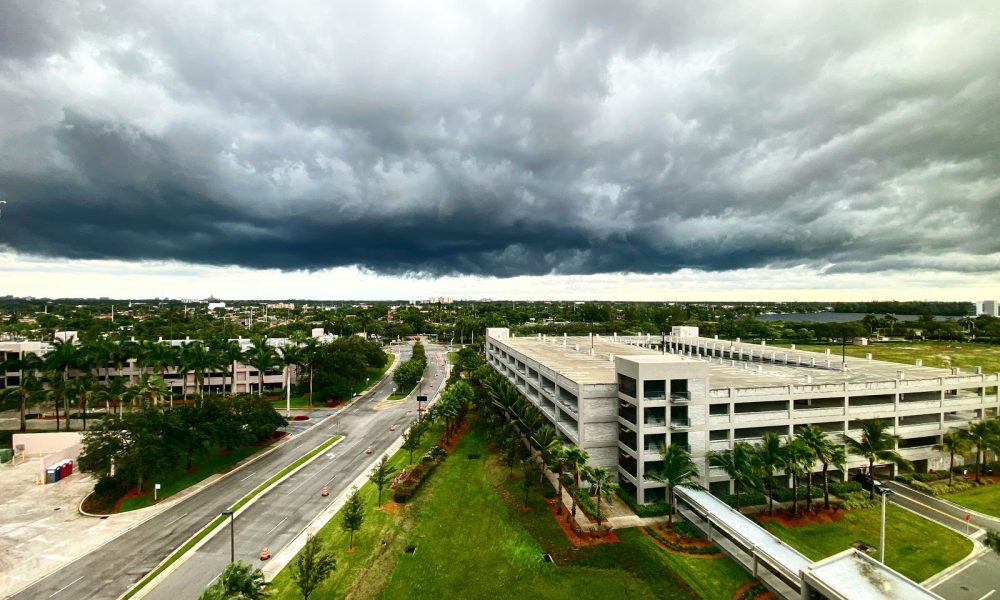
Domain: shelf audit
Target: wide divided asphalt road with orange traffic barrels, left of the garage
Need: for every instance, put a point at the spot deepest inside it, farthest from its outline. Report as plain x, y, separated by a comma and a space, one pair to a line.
113, 568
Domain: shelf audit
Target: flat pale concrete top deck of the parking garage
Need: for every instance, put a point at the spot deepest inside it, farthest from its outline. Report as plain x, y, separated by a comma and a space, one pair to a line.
588, 360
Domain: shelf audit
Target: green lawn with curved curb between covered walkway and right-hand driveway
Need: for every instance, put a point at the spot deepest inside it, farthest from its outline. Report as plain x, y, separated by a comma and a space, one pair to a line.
914, 546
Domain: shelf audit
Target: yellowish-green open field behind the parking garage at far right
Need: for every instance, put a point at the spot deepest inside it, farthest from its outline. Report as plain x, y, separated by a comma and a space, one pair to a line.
965, 355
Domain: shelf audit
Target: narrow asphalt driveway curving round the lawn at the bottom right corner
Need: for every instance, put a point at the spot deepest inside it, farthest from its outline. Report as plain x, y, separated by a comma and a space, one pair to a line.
979, 579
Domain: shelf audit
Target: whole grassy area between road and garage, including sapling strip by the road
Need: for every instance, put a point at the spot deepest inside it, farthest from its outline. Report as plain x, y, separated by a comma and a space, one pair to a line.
473, 540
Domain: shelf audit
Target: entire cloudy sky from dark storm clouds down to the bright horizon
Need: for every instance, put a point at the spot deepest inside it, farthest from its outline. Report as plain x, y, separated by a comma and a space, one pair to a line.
652, 150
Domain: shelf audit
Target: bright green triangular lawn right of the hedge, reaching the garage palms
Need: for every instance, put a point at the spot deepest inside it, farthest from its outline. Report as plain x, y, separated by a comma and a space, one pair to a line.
474, 541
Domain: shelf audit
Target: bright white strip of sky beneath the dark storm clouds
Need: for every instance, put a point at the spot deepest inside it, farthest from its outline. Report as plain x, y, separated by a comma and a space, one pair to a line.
22, 276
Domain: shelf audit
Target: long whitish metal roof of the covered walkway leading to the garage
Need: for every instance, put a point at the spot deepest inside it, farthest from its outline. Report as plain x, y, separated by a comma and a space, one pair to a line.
850, 575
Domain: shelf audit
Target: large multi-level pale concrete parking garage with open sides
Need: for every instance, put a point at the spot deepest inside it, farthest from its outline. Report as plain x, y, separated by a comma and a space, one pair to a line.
621, 398
